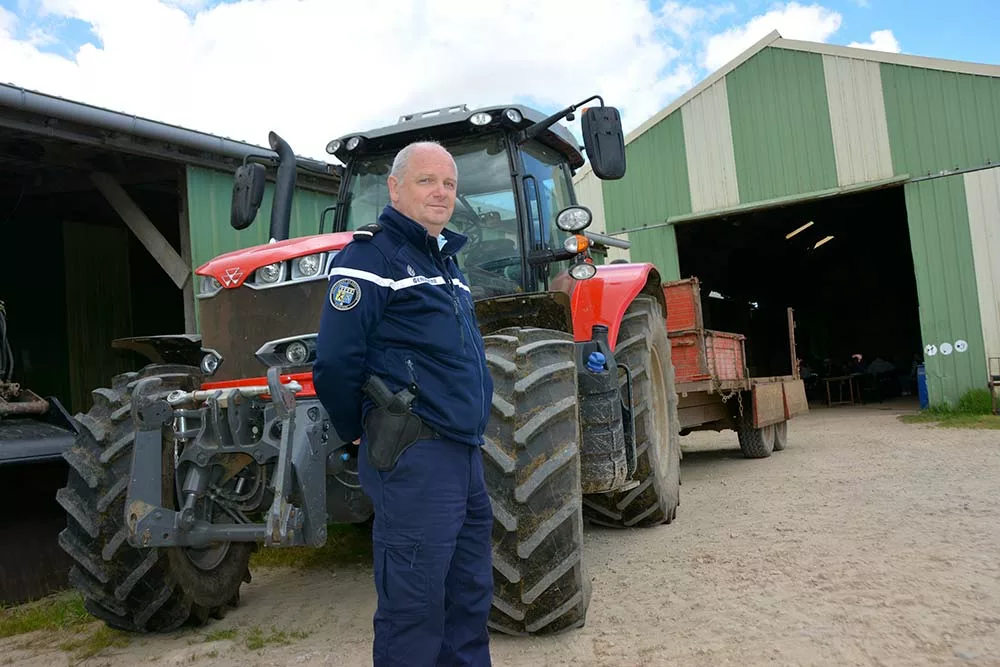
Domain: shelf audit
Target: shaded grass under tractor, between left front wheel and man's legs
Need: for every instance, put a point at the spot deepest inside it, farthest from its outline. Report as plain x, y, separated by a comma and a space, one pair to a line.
346, 544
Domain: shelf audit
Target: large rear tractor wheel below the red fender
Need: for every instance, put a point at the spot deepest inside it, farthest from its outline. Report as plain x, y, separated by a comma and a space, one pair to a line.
644, 347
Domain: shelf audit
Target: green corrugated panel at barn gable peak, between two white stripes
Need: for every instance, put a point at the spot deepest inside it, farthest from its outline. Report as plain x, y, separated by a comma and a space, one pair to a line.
781, 125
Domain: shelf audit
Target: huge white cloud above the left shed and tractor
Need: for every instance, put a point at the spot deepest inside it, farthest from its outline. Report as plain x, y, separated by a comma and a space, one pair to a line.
314, 69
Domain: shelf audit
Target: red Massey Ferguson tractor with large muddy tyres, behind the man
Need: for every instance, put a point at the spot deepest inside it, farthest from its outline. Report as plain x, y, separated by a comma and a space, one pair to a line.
220, 444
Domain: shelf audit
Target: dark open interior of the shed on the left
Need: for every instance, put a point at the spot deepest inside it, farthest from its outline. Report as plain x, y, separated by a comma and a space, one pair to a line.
73, 276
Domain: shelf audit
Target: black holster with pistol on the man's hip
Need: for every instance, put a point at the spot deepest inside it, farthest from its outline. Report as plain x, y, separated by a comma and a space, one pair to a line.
390, 426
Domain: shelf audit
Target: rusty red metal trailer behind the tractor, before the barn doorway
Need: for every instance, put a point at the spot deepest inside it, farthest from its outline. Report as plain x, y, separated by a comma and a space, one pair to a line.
714, 388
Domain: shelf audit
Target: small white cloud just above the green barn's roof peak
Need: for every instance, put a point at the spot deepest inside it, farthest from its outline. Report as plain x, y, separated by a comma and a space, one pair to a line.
813, 23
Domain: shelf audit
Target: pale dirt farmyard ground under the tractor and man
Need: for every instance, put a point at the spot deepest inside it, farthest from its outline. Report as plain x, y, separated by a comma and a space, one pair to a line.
866, 542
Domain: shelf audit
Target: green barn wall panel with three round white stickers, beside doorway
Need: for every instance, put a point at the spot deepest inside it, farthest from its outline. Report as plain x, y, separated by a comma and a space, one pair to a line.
946, 287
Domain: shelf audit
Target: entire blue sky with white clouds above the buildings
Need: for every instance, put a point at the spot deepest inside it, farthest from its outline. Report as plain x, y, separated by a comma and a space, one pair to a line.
316, 69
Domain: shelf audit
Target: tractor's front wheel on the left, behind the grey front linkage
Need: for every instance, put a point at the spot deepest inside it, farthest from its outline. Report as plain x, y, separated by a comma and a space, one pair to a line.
137, 590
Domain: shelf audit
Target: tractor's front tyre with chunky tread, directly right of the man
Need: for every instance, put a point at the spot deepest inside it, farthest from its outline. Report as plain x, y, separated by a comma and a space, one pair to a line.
532, 466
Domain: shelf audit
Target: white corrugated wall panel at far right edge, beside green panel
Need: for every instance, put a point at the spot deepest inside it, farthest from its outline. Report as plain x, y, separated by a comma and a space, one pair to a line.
982, 196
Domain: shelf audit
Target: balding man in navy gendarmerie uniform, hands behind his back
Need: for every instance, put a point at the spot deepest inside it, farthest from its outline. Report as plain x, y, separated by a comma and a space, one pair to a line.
400, 311
